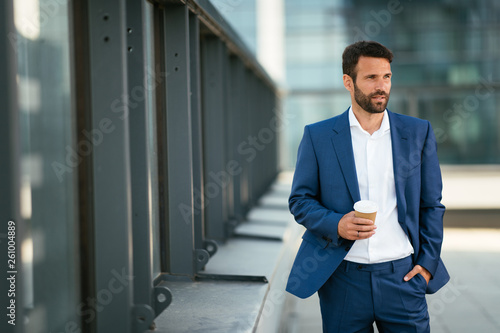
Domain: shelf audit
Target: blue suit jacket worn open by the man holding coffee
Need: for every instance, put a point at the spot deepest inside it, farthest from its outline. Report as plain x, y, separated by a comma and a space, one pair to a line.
325, 188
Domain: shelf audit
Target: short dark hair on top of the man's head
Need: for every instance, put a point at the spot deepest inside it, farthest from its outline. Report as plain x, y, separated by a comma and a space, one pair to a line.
351, 55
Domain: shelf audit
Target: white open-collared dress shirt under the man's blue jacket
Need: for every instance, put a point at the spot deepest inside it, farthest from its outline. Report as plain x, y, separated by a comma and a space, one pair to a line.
374, 168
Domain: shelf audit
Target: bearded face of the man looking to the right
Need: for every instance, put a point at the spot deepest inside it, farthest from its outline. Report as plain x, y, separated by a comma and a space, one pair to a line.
373, 84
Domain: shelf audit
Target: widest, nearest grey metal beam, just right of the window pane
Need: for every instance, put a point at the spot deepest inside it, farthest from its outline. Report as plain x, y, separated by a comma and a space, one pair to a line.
111, 183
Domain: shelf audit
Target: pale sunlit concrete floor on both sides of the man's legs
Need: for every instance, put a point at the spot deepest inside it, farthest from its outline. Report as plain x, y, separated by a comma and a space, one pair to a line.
470, 302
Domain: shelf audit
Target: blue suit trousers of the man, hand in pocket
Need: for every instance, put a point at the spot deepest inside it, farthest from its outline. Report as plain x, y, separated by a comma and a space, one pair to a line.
357, 295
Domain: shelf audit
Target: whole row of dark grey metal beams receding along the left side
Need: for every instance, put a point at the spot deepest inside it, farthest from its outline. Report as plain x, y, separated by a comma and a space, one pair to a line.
176, 134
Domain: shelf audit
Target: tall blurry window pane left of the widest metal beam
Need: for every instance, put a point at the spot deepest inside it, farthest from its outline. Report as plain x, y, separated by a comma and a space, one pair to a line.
49, 161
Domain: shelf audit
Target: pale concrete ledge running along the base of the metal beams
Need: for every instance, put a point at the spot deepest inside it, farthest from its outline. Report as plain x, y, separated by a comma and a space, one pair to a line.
240, 306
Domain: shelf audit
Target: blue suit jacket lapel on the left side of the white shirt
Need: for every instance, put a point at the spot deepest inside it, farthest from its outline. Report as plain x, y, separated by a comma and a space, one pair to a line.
342, 143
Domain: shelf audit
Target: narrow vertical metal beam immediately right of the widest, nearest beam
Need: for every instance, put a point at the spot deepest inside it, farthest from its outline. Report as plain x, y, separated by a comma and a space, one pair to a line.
138, 87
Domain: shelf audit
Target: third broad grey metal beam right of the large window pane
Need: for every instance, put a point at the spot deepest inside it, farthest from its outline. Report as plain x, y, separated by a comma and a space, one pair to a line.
214, 136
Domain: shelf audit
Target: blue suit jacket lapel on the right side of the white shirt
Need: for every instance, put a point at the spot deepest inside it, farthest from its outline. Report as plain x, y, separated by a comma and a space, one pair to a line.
400, 158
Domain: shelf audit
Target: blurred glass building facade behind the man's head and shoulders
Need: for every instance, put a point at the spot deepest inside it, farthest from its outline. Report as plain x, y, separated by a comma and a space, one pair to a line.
446, 67
